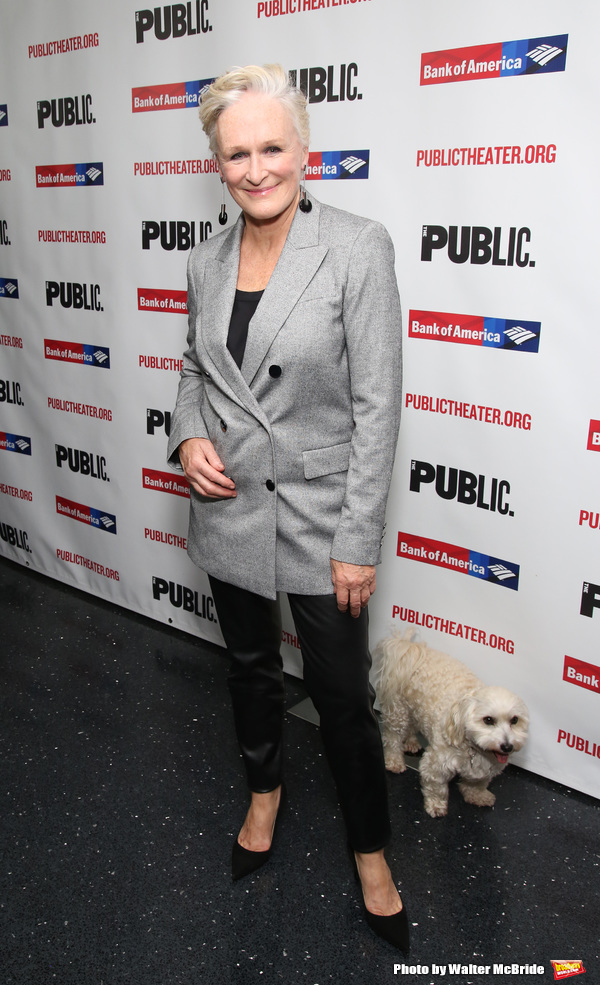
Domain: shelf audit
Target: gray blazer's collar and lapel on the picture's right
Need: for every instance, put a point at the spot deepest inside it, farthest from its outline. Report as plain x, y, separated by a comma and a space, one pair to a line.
300, 259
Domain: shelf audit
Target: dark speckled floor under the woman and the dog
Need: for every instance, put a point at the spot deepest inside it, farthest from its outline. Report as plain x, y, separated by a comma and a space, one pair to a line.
122, 791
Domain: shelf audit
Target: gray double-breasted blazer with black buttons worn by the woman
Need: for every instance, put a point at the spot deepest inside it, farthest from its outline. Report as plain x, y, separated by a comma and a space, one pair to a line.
307, 429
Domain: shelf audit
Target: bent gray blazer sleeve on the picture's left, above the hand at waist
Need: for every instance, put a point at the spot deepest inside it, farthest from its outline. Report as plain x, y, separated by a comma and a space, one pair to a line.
186, 419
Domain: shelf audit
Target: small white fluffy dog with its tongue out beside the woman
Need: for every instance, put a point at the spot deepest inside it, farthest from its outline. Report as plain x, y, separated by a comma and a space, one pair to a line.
471, 729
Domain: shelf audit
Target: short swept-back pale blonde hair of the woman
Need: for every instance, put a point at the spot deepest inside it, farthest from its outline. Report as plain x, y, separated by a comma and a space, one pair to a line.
270, 80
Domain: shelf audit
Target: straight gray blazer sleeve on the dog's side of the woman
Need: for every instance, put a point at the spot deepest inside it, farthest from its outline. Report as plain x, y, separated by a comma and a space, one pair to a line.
373, 332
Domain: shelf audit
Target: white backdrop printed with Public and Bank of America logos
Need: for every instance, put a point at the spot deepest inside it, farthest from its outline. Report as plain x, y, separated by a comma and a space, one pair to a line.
470, 131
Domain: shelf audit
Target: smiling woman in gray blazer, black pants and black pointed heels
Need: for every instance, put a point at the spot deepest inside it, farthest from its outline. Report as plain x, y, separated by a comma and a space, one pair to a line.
285, 426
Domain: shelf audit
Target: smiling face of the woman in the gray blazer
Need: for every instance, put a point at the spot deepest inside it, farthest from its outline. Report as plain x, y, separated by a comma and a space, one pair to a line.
260, 156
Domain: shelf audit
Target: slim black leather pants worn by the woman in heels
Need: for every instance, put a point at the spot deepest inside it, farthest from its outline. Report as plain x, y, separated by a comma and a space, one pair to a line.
336, 662
